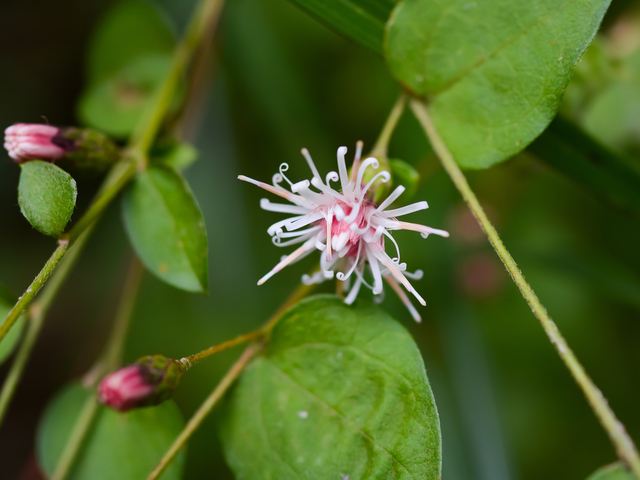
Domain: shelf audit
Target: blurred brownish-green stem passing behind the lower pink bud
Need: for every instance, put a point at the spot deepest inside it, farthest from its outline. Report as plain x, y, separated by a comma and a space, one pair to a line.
111, 359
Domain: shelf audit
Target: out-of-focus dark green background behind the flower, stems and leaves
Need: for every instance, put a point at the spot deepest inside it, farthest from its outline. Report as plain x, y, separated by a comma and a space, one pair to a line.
280, 81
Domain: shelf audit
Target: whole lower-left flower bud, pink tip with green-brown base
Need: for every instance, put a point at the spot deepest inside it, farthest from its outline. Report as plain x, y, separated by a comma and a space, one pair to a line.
149, 381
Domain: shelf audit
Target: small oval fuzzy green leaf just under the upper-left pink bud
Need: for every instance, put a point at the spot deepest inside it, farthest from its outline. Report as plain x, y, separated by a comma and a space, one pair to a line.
47, 196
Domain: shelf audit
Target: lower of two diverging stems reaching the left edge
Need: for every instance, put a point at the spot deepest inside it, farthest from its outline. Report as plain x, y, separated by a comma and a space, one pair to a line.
37, 313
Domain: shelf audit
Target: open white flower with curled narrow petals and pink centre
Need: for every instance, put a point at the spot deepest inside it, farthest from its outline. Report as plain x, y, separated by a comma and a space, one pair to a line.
346, 226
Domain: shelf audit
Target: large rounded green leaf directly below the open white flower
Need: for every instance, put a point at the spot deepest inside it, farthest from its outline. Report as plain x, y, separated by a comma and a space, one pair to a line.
340, 391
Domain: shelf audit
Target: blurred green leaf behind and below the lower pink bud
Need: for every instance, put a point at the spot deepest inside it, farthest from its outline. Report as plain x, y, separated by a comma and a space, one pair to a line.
120, 446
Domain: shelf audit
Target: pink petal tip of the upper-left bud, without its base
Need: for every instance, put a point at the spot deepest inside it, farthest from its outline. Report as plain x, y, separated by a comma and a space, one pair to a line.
26, 142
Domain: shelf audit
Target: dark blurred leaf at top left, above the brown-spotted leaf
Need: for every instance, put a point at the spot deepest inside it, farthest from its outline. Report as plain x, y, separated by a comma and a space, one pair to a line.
128, 31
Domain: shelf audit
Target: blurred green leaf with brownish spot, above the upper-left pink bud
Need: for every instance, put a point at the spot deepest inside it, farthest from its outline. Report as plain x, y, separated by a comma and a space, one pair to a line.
116, 104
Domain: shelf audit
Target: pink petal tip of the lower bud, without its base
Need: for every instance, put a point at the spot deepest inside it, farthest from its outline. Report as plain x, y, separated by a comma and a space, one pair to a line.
125, 389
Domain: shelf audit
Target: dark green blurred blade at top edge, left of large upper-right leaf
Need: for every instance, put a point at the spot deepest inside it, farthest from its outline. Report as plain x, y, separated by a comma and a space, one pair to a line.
360, 20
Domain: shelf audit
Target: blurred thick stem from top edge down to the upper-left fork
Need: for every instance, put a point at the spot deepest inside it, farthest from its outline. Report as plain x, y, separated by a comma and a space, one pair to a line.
204, 19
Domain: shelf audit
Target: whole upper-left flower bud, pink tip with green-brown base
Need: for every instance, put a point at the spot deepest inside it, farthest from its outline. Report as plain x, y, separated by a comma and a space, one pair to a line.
79, 147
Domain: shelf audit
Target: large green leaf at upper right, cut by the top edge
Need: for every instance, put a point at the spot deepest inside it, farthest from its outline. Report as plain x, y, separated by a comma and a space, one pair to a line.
493, 71
